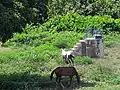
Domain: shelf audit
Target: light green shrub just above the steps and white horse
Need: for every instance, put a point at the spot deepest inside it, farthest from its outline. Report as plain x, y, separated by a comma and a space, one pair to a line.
66, 39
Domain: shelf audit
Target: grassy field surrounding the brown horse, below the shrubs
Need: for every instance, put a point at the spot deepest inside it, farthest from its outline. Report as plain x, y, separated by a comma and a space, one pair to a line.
34, 64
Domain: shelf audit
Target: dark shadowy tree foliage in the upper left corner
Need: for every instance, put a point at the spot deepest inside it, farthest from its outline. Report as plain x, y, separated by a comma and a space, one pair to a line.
15, 14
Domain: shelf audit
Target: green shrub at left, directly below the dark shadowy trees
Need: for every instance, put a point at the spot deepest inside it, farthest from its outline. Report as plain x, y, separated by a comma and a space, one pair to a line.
31, 36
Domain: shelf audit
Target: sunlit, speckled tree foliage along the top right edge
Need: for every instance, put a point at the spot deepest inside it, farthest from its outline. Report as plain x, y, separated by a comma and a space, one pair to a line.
84, 7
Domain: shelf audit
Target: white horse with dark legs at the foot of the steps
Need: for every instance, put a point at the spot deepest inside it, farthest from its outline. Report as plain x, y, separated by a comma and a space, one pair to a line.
67, 56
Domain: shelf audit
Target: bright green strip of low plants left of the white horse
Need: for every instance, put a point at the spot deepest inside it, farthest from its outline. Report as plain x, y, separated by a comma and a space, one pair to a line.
42, 53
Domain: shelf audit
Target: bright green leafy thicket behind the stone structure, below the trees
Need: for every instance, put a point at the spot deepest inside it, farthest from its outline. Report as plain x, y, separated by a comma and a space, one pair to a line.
78, 23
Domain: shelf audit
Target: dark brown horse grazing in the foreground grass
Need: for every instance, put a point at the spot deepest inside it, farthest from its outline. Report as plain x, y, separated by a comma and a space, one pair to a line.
65, 71
